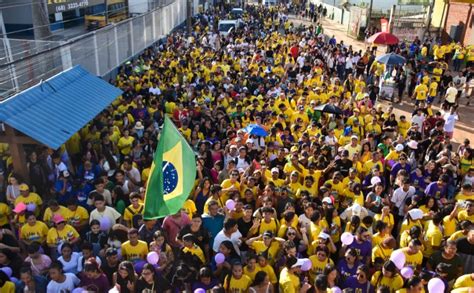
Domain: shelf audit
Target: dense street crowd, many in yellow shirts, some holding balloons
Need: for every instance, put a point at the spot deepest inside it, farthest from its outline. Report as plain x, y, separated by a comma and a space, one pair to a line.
361, 200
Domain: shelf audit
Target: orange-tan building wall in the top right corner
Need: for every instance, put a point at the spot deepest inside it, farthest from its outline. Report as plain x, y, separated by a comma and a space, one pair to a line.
460, 12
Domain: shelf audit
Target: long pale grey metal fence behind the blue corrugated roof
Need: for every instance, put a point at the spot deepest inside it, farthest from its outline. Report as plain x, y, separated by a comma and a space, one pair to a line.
24, 63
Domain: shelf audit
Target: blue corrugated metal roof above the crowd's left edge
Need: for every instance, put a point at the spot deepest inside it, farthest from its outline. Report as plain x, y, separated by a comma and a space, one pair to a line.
52, 111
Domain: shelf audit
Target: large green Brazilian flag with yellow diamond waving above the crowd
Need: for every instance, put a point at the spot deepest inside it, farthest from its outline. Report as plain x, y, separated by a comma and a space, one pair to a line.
172, 174
